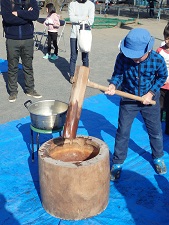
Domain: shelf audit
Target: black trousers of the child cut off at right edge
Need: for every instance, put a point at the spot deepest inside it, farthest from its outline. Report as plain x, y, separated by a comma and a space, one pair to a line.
164, 103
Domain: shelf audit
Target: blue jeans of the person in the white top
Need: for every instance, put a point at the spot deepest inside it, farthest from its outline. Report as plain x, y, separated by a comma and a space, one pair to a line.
74, 54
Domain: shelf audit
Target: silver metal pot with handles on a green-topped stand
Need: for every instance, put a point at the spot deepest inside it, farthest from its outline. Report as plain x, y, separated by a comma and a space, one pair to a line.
47, 114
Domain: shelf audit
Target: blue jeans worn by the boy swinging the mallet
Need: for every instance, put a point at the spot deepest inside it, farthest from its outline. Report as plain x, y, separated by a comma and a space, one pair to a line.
151, 115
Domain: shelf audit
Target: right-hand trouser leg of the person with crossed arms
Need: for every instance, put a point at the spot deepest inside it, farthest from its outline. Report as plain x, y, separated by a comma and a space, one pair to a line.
27, 58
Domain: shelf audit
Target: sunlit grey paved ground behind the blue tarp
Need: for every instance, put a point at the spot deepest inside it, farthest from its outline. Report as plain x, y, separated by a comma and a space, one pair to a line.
51, 79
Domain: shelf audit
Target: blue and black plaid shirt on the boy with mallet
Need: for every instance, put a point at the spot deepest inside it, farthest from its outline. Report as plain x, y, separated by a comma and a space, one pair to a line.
140, 78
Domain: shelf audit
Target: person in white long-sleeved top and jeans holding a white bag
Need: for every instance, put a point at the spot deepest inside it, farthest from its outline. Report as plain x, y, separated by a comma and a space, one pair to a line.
79, 10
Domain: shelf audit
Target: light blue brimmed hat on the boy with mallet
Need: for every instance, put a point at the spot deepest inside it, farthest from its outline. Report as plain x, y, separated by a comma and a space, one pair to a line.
137, 43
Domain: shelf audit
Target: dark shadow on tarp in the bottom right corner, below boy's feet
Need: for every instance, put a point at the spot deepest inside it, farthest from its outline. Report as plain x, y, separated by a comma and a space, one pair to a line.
142, 196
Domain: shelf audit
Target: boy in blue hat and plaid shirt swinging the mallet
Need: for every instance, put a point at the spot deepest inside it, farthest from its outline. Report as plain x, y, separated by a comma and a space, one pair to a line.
140, 71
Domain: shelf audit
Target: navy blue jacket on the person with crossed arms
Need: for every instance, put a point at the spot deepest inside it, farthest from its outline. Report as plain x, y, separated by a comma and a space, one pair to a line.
19, 27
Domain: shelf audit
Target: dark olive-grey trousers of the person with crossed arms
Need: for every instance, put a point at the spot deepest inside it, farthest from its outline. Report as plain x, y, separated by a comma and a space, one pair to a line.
15, 50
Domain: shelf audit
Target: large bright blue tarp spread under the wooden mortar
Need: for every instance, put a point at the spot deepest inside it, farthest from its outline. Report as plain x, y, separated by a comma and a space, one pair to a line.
140, 197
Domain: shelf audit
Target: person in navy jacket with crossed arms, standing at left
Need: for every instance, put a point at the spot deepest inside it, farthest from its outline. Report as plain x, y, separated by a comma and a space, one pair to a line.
18, 17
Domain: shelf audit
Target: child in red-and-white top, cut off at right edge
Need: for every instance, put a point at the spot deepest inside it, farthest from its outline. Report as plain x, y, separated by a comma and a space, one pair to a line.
164, 97
